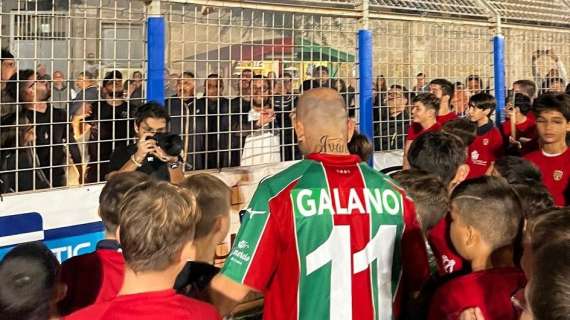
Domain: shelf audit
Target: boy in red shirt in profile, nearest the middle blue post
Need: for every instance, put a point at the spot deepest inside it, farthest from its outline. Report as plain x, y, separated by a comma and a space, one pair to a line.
424, 119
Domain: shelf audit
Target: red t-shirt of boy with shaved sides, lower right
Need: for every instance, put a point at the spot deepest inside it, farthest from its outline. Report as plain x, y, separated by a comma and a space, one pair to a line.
490, 290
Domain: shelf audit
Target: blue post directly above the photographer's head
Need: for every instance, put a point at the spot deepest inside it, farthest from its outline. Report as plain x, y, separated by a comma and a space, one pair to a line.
155, 63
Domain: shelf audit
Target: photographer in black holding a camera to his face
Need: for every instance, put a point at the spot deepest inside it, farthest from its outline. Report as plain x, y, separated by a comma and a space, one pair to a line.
156, 153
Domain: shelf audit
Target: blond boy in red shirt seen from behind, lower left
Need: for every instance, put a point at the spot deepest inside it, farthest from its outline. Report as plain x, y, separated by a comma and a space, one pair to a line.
157, 223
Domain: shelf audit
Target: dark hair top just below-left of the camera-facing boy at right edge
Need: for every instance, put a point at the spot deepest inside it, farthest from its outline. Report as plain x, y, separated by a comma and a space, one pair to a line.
517, 170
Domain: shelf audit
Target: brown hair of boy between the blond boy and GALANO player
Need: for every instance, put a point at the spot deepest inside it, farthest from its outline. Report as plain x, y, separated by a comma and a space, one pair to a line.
213, 197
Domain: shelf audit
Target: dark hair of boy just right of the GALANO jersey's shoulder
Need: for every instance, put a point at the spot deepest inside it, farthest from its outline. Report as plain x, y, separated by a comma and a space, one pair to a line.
437, 153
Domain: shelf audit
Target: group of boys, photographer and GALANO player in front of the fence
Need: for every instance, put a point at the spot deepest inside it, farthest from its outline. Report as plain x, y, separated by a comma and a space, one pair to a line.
465, 231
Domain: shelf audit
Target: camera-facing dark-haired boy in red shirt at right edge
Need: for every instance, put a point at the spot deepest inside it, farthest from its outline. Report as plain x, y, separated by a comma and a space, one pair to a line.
553, 159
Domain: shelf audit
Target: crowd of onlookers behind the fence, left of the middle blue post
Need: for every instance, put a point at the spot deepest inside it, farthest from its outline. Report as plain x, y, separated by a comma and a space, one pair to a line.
49, 129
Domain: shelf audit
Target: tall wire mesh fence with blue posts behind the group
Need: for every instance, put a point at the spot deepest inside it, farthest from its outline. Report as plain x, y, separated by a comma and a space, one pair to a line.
202, 56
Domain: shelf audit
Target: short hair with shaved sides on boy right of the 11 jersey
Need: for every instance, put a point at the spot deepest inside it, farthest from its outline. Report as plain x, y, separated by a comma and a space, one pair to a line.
490, 205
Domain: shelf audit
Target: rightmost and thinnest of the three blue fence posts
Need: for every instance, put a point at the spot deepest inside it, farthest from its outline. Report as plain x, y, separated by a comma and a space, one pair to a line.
499, 70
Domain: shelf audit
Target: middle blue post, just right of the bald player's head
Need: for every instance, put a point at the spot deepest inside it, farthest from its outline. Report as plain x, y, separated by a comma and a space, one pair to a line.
365, 72
